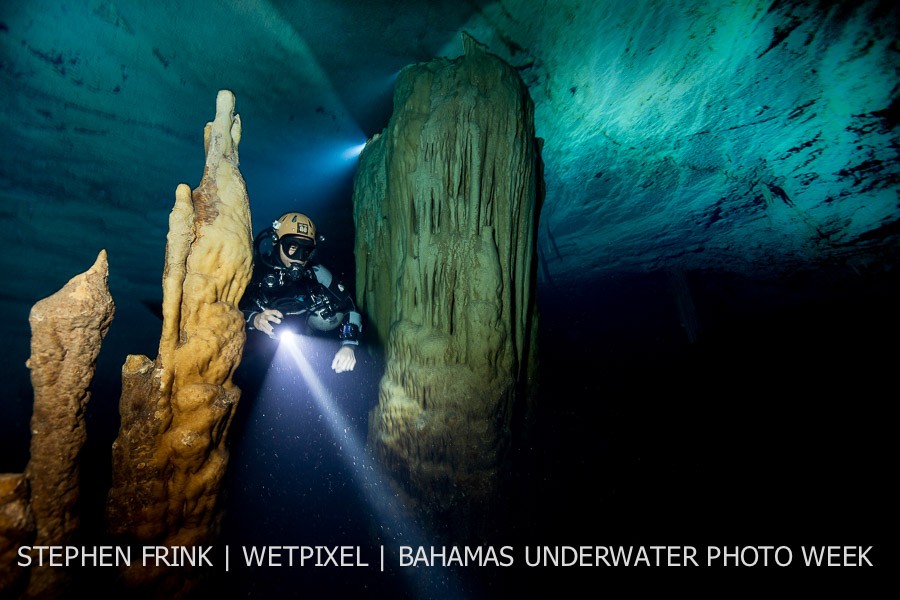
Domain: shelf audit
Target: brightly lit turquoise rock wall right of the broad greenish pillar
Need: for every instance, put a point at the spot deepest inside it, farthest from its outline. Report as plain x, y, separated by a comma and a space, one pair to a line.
753, 137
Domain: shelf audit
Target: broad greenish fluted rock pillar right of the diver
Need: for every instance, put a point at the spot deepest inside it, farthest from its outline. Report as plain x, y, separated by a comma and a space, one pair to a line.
446, 203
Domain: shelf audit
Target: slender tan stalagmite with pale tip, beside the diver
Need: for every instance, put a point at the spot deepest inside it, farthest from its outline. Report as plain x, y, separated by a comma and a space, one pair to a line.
170, 455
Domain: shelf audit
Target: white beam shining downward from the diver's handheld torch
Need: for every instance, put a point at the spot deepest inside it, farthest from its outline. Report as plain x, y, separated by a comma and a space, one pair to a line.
396, 524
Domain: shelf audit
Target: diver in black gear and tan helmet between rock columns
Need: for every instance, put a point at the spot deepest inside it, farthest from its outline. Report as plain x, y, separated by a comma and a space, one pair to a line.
287, 287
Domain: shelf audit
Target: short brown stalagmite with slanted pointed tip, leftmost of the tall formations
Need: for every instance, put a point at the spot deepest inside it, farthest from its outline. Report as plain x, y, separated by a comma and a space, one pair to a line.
67, 329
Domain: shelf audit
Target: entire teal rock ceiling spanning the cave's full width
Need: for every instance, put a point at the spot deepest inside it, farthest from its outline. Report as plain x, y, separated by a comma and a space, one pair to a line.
755, 138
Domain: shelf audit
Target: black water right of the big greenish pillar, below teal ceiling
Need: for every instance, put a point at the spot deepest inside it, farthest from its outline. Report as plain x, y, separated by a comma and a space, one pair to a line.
769, 429
